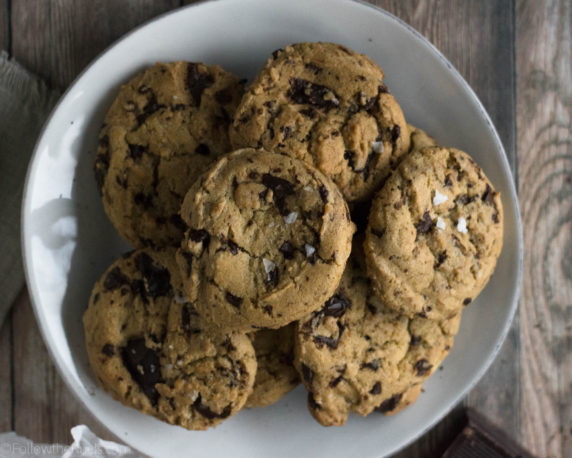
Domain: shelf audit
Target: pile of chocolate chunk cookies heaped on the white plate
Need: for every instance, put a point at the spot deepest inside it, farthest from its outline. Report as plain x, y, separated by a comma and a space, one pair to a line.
298, 230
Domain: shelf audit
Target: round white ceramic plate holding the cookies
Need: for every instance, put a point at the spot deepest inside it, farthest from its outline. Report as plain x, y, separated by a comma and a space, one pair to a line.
68, 241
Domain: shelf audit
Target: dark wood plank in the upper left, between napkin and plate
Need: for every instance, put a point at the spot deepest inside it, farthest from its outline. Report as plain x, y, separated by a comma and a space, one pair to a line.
58, 39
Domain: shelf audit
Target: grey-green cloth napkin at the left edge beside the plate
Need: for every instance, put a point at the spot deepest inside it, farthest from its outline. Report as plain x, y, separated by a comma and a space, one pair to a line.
25, 102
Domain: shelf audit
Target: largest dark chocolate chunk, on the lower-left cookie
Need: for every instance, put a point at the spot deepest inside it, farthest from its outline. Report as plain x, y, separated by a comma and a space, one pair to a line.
143, 365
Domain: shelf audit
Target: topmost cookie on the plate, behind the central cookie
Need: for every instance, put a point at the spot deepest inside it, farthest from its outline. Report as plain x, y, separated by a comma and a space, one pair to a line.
326, 105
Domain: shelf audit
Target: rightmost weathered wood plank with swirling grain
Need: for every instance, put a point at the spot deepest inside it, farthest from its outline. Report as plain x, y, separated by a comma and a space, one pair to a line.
544, 122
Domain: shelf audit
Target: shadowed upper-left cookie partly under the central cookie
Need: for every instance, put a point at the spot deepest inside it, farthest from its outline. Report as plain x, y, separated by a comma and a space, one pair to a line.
165, 127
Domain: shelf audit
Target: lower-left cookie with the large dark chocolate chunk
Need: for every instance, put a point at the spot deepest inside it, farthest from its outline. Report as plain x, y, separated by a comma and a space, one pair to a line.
150, 351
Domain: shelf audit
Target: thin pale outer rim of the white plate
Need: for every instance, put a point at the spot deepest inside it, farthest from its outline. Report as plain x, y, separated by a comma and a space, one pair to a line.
76, 388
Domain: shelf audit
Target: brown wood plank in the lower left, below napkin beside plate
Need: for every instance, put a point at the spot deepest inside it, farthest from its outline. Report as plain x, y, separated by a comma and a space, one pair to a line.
44, 409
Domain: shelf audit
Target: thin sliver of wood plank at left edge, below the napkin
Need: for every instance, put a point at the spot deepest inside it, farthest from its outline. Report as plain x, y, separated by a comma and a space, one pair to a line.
6, 374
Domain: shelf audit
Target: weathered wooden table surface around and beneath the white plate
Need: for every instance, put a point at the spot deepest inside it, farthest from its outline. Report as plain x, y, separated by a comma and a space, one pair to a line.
516, 55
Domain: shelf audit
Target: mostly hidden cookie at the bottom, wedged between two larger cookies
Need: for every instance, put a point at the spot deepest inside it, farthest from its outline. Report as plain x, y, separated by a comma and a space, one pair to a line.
275, 376
